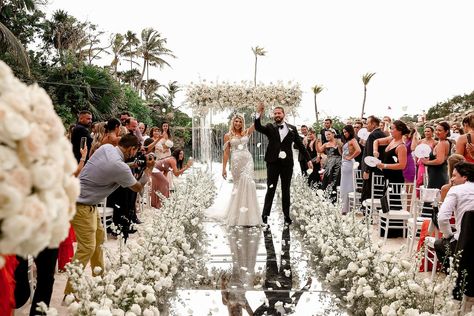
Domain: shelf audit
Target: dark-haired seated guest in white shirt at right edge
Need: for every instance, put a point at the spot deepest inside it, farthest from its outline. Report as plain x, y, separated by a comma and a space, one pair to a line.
460, 199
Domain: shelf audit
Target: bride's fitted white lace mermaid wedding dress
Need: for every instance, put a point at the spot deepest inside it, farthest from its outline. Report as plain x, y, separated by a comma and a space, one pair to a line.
243, 208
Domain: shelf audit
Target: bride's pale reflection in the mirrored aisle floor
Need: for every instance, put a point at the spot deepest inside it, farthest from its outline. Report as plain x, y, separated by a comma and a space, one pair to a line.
243, 246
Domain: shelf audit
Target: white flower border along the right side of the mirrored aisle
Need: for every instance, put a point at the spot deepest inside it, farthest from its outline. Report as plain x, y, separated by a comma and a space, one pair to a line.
368, 280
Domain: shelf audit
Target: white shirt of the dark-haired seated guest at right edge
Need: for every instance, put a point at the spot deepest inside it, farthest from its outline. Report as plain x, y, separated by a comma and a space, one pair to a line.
459, 200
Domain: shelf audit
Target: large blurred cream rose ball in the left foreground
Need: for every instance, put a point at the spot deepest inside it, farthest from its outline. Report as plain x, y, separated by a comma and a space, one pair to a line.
37, 188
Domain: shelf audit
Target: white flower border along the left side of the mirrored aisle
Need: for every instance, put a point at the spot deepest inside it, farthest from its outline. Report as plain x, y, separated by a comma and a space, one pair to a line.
140, 277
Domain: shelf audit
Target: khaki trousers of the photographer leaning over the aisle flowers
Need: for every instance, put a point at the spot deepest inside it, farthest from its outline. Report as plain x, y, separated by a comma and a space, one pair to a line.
90, 237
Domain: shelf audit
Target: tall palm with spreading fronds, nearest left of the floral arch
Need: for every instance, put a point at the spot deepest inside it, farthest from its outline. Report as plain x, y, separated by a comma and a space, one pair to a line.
152, 49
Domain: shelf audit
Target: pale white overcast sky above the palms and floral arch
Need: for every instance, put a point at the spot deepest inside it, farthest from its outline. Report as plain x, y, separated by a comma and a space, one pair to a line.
421, 51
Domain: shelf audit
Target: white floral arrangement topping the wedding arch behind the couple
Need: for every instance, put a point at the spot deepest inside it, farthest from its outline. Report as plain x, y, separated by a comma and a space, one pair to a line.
202, 97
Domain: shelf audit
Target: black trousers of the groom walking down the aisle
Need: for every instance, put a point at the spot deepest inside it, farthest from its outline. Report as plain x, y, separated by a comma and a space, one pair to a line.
277, 170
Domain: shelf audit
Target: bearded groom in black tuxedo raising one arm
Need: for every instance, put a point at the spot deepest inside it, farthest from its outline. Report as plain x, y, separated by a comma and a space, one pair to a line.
279, 158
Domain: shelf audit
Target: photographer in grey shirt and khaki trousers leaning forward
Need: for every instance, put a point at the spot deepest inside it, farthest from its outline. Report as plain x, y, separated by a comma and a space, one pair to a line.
105, 171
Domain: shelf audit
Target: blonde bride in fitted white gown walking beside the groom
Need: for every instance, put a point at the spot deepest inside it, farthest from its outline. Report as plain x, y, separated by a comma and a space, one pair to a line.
243, 208
